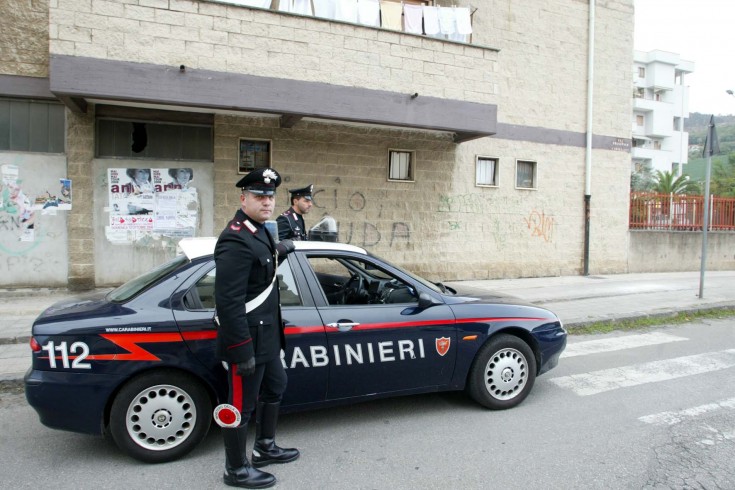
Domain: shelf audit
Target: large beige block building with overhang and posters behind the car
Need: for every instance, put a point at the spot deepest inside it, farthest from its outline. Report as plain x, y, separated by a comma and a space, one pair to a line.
454, 141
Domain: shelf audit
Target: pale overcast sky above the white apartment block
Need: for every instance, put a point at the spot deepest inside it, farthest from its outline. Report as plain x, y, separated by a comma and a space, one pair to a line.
702, 31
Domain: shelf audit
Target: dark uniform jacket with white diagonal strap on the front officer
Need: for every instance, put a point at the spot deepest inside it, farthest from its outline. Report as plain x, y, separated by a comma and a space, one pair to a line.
245, 257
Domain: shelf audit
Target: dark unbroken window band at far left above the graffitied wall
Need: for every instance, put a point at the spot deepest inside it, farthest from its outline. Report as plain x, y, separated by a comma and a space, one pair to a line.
27, 125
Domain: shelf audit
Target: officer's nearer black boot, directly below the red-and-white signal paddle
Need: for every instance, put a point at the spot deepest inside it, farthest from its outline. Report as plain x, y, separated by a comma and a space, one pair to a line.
238, 472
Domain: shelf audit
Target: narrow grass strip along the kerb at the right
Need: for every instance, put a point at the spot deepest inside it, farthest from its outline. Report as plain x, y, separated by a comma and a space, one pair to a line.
651, 321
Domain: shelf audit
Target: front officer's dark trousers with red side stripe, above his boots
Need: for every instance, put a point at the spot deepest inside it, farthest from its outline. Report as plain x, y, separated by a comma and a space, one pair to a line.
267, 384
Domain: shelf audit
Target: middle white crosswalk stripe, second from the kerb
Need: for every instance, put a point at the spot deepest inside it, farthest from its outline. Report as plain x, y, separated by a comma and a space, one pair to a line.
651, 372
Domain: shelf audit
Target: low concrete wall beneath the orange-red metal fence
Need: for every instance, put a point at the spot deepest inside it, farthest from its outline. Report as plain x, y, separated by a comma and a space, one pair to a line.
652, 251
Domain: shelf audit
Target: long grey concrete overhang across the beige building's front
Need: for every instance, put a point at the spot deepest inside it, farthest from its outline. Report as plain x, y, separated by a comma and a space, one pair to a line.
78, 80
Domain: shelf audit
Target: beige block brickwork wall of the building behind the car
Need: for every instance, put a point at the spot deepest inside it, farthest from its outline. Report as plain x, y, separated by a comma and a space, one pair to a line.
529, 58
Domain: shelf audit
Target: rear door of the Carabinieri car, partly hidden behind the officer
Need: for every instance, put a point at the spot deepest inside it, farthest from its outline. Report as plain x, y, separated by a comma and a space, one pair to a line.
305, 336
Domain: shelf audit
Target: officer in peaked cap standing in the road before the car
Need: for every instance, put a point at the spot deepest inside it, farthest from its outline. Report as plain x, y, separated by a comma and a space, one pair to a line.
250, 334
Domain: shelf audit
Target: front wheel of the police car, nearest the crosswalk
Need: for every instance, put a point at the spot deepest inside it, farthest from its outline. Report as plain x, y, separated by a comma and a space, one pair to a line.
502, 373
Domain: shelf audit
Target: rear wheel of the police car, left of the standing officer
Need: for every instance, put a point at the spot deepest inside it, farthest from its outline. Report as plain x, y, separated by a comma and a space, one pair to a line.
160, 416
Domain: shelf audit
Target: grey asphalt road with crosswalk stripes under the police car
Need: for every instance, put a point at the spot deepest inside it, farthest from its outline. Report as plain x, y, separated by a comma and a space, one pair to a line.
648, 409
